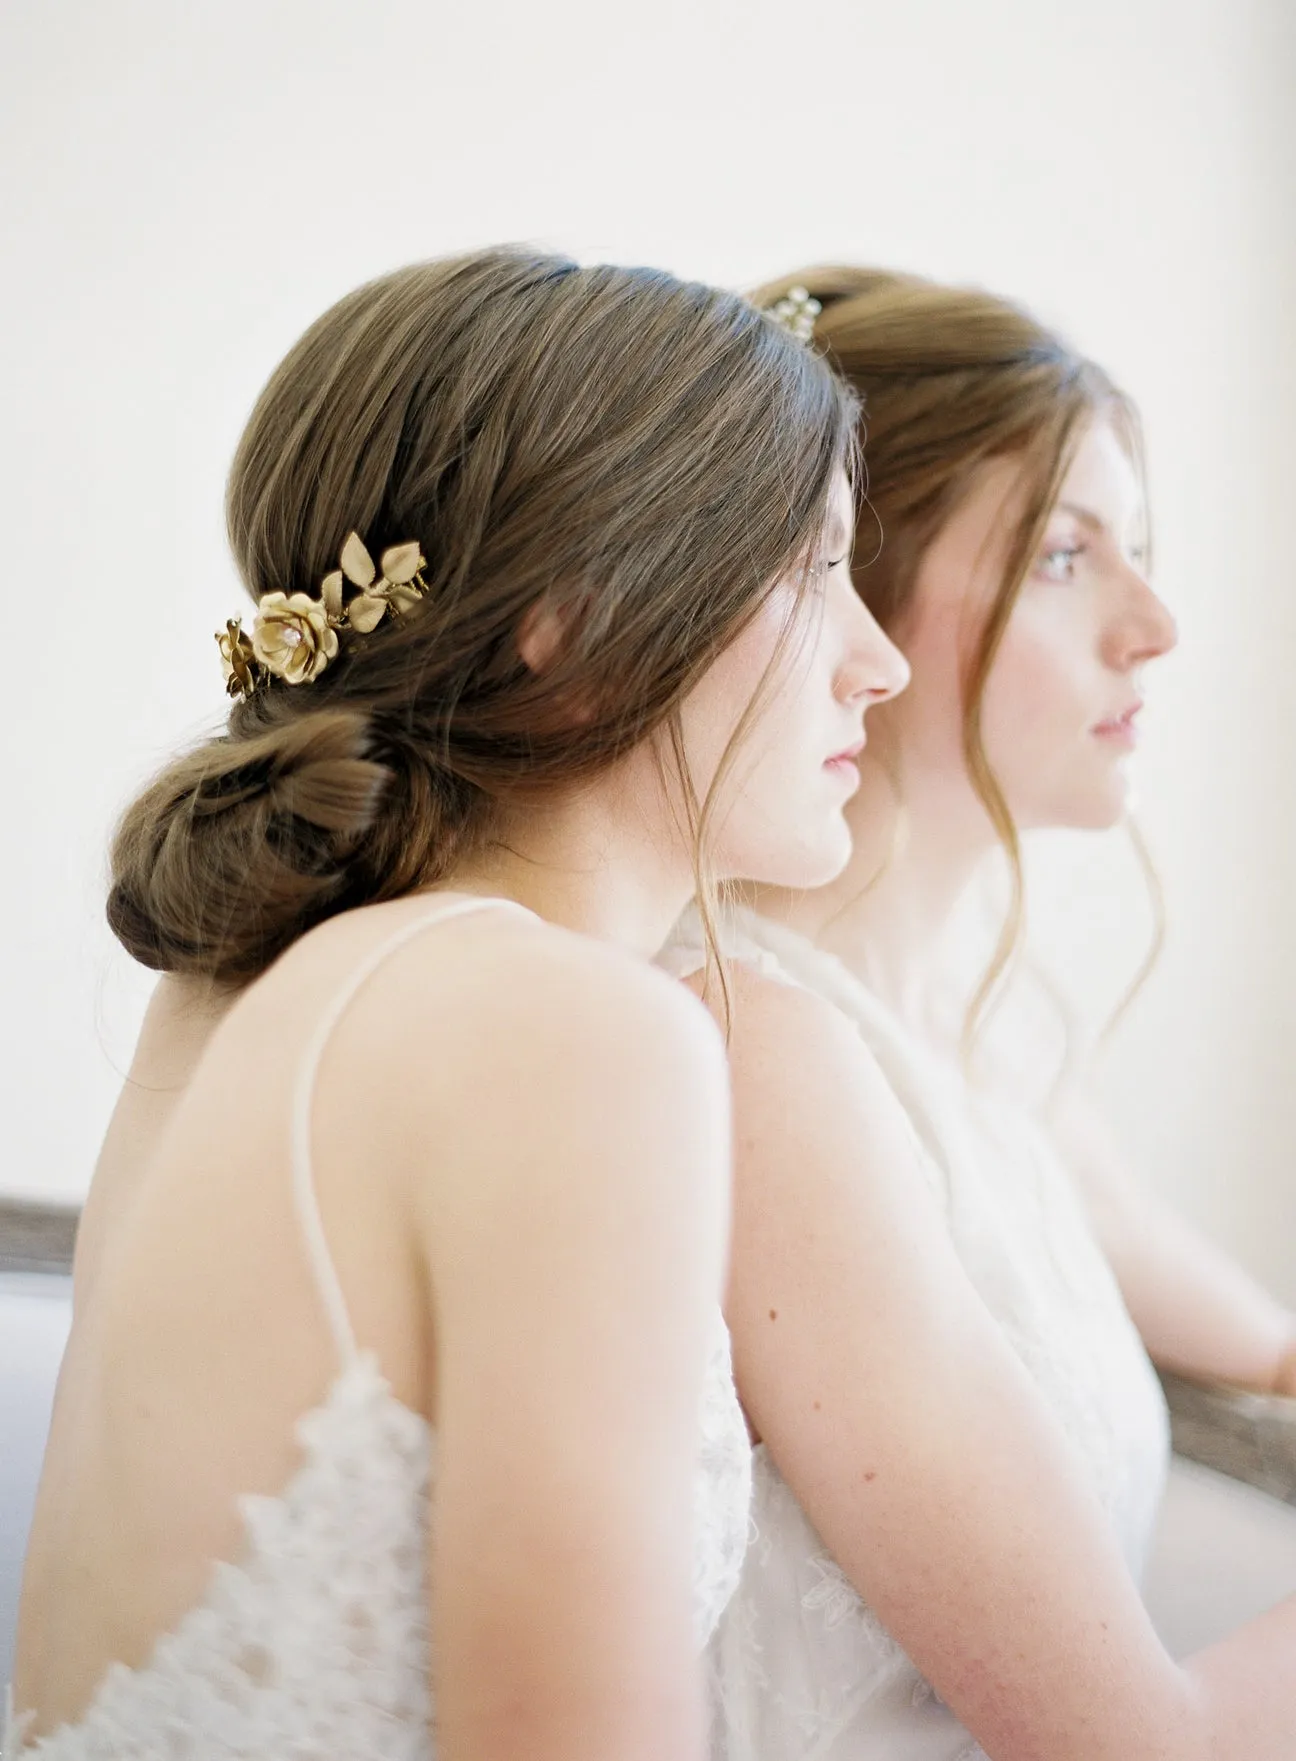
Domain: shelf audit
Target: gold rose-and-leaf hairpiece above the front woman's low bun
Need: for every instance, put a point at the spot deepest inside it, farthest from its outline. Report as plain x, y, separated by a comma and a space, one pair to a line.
295, 637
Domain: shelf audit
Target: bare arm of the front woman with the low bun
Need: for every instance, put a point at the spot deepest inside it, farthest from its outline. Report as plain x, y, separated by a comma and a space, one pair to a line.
575, 1241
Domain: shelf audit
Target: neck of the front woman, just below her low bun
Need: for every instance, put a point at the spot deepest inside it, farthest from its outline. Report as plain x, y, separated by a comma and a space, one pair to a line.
594, 860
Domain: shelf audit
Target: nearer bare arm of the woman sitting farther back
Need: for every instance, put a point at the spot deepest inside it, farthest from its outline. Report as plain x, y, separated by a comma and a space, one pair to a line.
920, 1448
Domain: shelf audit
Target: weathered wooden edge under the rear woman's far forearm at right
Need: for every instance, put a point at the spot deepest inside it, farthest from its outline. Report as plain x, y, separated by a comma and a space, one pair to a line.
1235, 1431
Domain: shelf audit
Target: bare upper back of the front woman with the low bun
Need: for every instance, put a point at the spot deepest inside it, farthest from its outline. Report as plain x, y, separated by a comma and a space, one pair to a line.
277, 1228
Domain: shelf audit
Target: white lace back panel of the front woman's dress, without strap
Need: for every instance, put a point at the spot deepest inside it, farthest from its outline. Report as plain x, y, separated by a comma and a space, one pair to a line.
320, 1635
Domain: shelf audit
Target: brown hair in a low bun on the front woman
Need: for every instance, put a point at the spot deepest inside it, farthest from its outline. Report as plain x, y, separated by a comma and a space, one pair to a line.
644, 455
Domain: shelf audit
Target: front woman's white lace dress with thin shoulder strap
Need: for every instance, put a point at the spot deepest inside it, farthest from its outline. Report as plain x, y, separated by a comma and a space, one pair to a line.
314, 1647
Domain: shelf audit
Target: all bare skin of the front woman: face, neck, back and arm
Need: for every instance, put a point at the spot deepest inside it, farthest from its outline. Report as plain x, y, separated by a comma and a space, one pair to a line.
534, 1274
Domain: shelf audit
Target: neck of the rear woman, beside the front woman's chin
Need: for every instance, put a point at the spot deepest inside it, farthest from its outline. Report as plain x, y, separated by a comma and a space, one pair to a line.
890, 915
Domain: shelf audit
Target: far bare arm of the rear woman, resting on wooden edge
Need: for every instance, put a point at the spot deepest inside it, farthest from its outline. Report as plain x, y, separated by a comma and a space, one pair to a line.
1198, 1313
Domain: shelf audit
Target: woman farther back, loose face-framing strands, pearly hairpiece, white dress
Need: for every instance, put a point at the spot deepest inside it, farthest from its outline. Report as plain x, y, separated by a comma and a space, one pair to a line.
943, 1302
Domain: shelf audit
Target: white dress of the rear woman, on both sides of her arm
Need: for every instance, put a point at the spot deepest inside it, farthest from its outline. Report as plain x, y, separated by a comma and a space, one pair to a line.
804, 1670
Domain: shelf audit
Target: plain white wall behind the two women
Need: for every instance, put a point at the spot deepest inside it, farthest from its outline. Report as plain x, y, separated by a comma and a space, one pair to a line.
186, 188
